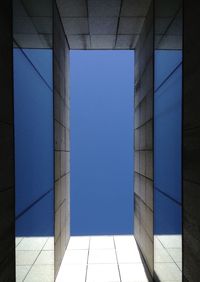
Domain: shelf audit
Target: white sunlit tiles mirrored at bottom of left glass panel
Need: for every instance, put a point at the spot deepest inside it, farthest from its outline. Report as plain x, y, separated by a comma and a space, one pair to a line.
34, 259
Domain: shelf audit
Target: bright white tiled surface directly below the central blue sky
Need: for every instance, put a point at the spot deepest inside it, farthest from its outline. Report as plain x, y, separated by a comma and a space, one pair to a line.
102, 259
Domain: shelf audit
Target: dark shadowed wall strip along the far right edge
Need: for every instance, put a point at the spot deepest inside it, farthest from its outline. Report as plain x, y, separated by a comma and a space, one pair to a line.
191, 143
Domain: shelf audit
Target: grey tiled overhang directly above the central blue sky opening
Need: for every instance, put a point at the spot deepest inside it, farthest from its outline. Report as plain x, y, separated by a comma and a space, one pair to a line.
102, 24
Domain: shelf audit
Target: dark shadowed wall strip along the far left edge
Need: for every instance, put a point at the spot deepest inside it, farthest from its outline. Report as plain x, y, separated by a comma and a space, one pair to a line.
7, 205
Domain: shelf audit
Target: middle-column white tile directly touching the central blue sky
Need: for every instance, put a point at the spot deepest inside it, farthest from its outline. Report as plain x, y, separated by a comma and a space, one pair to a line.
101, 242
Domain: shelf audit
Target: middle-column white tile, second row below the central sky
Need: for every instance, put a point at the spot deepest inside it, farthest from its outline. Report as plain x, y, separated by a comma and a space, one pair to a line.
102, 256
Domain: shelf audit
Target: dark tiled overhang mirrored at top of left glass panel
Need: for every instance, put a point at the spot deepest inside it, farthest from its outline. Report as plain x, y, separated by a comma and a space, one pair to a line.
32, 23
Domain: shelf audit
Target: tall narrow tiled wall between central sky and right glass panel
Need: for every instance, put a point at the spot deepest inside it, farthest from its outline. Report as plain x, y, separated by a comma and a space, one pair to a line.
143, 186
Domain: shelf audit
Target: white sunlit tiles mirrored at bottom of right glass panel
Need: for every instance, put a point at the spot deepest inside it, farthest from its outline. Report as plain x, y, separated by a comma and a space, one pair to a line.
168, 257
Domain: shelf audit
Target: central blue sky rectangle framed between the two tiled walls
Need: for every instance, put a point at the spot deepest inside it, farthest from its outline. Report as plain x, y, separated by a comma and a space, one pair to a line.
101, 117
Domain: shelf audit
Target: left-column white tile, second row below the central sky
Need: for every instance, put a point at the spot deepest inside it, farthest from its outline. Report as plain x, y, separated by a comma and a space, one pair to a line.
75, 257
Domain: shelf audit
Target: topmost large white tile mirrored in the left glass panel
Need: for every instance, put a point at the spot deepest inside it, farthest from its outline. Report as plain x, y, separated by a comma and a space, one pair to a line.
32, 243
